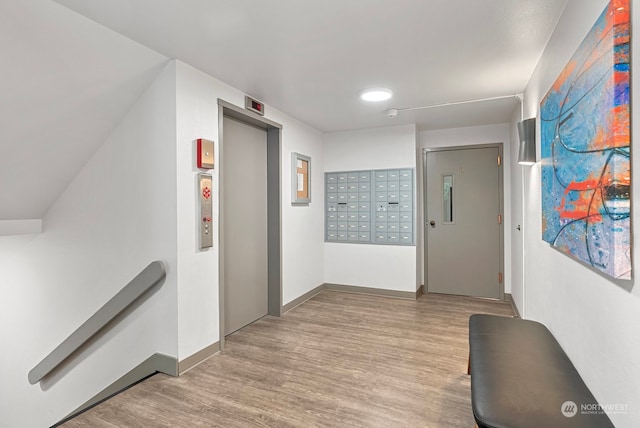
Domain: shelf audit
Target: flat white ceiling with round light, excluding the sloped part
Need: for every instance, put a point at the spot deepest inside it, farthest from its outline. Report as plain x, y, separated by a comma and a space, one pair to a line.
312, 59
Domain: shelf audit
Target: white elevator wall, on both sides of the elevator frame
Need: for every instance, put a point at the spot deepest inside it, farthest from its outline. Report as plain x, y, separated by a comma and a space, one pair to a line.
302, 233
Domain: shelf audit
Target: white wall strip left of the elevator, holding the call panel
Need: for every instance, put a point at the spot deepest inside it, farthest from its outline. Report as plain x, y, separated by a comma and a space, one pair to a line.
197, 117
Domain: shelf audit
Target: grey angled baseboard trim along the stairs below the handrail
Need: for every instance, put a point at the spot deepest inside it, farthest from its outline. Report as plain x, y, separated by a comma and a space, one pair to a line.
152, 365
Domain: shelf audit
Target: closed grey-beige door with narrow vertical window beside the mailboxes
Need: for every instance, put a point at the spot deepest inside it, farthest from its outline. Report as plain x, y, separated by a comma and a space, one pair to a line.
463, 222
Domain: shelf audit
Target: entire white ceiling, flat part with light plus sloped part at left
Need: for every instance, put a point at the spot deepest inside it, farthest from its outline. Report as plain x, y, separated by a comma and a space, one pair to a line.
68, 80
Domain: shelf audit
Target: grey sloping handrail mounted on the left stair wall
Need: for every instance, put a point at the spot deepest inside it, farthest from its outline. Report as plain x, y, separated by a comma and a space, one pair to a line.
146, 279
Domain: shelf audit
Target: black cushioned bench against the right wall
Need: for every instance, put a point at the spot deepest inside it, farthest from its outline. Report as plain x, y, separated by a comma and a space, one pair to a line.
521, 377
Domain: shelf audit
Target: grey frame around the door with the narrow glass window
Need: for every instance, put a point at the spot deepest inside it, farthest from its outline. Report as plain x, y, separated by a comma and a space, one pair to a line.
425, 229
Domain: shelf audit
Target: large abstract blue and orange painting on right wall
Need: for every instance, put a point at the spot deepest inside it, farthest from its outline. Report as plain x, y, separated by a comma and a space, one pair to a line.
585, 134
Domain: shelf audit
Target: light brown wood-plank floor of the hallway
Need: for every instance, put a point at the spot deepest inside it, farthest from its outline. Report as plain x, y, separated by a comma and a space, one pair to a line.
337, 360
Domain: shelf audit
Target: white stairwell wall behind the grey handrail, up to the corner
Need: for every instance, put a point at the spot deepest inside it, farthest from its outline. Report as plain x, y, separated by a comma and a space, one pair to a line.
115, 217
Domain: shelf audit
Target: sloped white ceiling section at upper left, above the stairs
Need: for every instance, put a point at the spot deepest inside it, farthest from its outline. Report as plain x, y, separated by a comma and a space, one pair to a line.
66, 82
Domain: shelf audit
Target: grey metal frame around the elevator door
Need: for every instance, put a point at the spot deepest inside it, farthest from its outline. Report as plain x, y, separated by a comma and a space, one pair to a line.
274, 197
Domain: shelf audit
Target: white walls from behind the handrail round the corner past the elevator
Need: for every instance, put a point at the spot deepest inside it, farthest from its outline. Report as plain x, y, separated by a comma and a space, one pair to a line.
135, 202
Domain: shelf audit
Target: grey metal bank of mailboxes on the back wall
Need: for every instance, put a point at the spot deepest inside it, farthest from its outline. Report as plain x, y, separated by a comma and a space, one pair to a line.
372, 207
